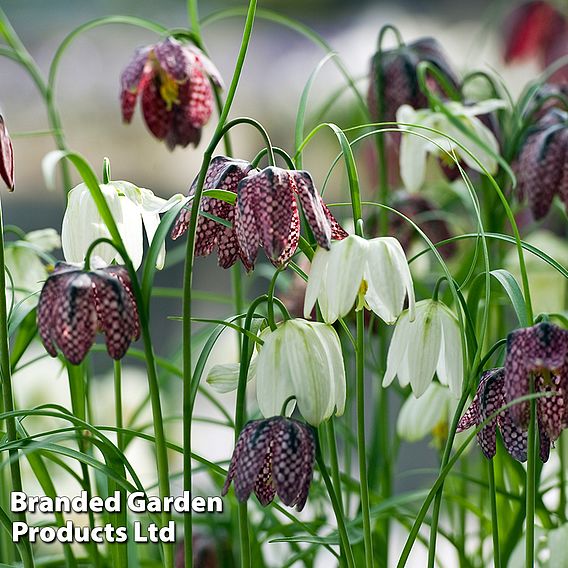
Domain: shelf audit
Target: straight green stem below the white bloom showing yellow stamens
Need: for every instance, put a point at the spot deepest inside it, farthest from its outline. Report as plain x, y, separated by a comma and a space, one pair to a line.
361, 445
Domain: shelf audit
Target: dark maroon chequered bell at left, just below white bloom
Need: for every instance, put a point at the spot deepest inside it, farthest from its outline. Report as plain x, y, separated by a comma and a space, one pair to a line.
74, 304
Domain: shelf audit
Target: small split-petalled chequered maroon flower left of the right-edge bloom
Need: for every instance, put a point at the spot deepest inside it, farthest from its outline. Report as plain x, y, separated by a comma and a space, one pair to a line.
488, 399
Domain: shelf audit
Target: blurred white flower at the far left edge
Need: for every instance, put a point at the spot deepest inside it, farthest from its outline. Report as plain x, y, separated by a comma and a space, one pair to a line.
23, 262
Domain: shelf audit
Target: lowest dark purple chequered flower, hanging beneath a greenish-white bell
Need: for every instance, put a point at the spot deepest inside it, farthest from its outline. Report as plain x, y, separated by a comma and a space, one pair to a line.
274, 456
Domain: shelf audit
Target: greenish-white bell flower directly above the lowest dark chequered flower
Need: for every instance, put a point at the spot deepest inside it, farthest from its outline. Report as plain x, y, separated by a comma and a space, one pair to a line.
301, 359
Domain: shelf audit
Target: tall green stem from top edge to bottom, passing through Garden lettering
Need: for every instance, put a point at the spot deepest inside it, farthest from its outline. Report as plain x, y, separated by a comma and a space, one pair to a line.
187, 282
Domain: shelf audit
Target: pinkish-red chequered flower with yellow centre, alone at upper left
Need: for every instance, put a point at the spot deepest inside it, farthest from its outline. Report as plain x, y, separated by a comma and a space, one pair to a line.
173, 81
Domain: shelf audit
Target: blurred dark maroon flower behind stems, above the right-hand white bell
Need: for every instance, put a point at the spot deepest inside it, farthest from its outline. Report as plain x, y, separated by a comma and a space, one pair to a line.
423, 213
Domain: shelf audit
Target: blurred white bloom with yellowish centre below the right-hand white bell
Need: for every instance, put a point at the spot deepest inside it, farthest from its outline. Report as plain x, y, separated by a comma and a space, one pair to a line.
429, 414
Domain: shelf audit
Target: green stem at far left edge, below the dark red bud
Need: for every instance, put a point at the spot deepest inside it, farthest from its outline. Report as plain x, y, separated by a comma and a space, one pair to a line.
7, 394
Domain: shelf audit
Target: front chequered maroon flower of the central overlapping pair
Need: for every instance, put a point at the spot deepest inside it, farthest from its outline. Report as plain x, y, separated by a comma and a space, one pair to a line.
267, 214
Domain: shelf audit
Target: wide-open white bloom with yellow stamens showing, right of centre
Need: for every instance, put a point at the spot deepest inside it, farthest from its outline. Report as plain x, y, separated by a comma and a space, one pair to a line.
374, 272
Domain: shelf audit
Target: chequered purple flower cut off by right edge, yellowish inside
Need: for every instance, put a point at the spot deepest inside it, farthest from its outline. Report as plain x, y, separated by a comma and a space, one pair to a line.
540, 351
